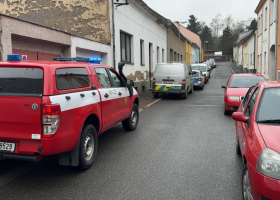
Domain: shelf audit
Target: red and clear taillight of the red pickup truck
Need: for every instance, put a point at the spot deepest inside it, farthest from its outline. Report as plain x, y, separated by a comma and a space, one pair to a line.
50, 119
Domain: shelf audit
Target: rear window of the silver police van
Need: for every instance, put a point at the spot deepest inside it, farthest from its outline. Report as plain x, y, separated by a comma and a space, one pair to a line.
169, 69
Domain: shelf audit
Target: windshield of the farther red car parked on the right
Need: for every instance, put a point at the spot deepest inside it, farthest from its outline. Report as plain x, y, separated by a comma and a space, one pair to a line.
245, 81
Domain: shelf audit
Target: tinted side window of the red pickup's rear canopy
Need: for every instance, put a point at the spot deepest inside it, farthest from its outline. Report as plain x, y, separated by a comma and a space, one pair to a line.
72, 78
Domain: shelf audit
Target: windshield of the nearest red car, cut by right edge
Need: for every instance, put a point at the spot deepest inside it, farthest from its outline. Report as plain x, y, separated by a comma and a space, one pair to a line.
269, 108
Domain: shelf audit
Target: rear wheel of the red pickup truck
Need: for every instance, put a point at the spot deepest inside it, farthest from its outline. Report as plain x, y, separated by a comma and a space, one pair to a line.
88, 147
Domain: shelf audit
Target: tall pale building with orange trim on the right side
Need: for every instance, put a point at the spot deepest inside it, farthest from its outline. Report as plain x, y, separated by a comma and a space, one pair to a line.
266, 38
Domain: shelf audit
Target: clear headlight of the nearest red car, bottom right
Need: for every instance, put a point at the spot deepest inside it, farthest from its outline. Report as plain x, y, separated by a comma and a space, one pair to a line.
269, 163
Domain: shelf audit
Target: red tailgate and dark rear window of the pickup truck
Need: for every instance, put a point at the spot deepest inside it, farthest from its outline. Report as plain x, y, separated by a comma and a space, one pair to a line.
21, 91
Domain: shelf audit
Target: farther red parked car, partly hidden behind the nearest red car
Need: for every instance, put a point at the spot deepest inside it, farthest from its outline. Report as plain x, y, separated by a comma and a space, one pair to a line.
236, 88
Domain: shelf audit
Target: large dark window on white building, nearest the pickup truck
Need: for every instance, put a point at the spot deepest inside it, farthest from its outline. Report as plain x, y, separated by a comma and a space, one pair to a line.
125, 47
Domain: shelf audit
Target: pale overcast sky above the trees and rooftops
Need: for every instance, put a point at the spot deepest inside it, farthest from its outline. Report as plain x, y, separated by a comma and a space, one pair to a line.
204, 10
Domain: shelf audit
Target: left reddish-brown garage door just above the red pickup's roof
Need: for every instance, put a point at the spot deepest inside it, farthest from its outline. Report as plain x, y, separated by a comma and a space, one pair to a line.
34, 55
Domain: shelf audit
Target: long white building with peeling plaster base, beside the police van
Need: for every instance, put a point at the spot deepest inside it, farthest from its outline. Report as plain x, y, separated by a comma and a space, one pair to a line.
140, 41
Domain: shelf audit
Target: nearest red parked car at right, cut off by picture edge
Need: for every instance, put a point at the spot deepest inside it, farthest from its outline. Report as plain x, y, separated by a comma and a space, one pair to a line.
258, 141
